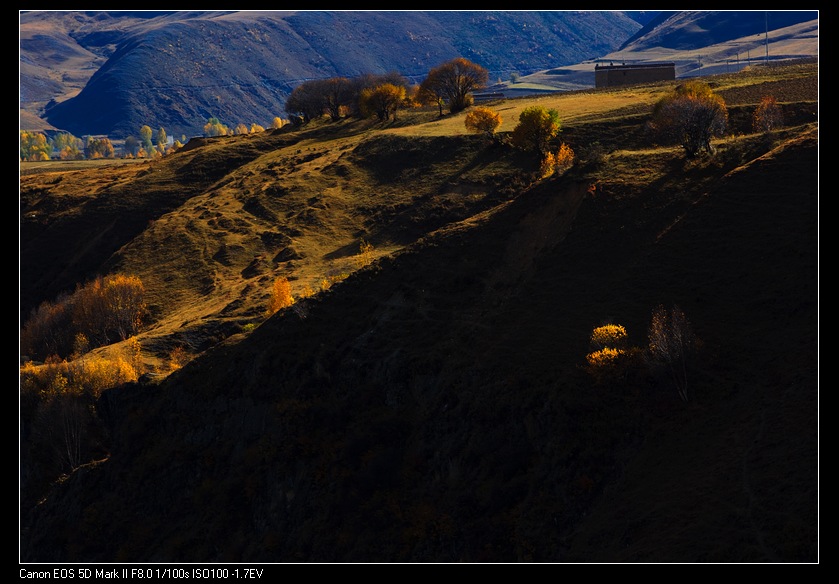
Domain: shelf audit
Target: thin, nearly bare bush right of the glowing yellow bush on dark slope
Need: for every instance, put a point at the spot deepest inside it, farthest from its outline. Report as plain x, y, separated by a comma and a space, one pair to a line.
671, 343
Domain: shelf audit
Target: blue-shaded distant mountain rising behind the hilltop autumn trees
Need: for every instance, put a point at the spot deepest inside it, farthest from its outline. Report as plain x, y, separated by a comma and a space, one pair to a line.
177, 69
